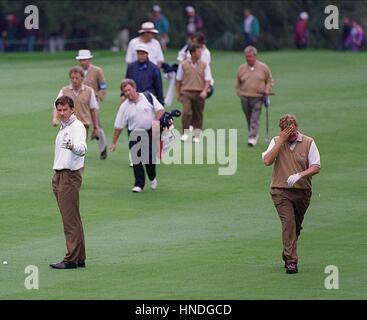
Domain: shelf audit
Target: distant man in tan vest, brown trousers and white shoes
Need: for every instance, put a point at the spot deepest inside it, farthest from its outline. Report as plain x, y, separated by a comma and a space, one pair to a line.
192, 84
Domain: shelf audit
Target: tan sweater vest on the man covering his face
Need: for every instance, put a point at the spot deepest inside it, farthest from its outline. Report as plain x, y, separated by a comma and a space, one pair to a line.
289, 162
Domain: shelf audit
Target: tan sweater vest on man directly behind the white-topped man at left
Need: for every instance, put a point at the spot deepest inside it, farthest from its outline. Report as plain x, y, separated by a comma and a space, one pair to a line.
81, 103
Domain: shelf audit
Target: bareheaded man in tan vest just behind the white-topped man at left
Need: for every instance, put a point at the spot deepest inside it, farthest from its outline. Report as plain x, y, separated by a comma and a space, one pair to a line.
84, 100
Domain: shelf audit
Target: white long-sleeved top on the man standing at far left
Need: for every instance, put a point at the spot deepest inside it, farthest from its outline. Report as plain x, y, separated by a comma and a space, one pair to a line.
70, 159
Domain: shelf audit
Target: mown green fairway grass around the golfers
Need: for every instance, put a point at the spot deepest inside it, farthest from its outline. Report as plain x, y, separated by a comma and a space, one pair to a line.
200, 235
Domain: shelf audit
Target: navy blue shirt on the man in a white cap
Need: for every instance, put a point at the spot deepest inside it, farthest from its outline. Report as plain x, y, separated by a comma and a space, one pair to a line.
147, 77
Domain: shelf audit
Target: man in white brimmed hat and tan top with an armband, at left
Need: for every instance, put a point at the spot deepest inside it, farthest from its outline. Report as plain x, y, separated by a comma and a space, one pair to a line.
94, 78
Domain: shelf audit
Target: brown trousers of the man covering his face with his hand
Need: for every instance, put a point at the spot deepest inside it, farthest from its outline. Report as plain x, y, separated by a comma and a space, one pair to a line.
291, 205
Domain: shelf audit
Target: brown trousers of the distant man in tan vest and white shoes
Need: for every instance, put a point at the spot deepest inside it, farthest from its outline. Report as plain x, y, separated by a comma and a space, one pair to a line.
192, 111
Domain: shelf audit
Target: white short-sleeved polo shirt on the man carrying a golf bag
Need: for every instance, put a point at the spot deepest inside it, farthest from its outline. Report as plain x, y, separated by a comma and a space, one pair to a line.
138, 115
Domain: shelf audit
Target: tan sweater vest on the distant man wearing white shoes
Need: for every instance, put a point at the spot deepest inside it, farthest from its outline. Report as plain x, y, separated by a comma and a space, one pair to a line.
194, 77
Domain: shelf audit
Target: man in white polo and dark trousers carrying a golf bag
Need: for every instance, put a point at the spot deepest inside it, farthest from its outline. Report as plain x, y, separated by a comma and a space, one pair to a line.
137, 113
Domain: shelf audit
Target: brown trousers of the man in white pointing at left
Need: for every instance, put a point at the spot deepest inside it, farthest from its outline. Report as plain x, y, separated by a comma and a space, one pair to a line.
66, 186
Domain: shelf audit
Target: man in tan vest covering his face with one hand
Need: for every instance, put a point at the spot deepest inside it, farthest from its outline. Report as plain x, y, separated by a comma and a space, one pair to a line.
296, 159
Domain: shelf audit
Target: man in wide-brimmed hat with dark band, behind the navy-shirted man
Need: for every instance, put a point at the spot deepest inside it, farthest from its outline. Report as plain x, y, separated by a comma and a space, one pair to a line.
146, 36
